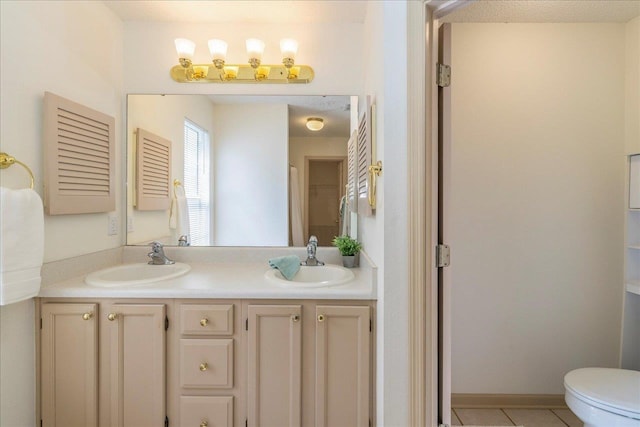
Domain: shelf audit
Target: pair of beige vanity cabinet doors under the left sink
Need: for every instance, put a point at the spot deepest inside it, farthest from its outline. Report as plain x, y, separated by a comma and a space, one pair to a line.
102, 363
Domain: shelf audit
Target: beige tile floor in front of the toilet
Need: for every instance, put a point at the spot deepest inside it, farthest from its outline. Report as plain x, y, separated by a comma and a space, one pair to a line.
515, 417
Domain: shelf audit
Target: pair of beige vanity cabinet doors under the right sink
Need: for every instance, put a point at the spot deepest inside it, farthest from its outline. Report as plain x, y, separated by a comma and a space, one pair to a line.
309, 364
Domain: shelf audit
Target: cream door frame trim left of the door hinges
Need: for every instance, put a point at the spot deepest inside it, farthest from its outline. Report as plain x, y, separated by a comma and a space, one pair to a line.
423, 21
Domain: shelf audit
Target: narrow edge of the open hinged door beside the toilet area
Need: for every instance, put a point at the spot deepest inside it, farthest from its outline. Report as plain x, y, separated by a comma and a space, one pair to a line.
444, 273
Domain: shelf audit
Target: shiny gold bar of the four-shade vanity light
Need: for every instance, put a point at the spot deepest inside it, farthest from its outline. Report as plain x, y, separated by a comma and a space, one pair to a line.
209, 73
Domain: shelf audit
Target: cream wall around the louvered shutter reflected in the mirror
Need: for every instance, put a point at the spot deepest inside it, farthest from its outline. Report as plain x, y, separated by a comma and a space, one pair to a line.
163, 116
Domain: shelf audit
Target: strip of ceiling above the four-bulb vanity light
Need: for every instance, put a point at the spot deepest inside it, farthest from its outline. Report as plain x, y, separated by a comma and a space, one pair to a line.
230, 11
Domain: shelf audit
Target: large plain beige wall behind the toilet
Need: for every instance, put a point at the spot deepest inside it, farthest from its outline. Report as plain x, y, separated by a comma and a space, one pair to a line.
537, 201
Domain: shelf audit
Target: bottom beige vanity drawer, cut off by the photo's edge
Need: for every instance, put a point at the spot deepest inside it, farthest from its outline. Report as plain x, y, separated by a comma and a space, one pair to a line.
206, 411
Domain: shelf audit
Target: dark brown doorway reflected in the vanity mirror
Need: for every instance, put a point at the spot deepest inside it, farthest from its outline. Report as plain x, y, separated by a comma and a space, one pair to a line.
325, 188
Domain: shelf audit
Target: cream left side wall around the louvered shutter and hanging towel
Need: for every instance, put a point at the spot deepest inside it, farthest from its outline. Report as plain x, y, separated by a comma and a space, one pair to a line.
75, 50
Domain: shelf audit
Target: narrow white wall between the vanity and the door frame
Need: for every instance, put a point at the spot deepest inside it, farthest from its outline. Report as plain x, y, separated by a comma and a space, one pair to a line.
385, 235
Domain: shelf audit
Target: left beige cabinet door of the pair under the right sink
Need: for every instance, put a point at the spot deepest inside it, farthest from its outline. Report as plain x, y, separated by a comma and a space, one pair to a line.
274, 356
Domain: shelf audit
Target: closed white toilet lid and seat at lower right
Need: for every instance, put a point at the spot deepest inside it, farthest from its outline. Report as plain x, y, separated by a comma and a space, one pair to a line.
612, 390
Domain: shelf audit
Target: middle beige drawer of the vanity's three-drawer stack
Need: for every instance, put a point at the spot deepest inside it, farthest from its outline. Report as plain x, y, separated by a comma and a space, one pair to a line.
206, 363
